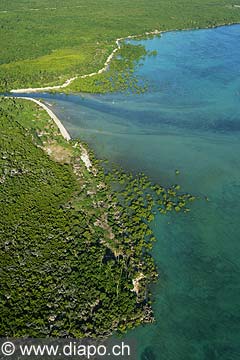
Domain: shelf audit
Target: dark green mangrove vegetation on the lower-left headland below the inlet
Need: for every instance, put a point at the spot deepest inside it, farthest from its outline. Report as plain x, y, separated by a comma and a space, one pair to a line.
74, 243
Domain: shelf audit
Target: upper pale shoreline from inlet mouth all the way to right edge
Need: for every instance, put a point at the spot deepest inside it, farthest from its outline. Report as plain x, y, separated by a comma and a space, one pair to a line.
107, 62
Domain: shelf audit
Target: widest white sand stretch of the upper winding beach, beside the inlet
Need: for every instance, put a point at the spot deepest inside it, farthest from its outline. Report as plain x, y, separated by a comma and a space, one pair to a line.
105, 67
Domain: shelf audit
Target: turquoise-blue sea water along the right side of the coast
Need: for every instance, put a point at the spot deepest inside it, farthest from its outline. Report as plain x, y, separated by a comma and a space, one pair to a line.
189, 119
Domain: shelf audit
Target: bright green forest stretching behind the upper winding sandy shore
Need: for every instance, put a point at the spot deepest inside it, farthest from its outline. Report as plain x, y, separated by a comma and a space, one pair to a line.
46, 42
